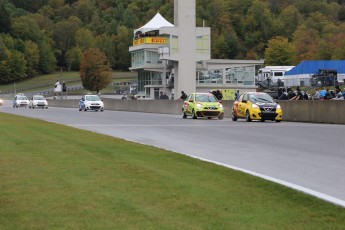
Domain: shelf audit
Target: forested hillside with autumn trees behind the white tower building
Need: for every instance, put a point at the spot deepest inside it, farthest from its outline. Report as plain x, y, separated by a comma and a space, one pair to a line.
38, 36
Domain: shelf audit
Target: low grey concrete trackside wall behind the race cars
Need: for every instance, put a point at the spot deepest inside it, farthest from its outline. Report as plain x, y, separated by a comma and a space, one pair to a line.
332, 112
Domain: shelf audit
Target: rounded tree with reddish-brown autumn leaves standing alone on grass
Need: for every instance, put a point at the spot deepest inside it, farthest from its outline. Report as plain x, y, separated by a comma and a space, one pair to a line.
95, 72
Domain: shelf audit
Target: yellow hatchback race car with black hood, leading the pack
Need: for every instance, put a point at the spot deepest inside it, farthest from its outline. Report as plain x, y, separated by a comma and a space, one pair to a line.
256, 106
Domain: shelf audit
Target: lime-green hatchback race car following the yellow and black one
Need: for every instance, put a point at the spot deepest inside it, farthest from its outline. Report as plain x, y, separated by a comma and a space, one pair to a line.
202, 105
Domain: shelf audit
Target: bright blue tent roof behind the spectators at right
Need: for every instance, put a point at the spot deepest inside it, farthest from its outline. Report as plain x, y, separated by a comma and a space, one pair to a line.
312, 67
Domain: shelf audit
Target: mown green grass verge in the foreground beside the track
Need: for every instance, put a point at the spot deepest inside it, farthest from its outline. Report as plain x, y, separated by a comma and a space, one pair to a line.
57, 177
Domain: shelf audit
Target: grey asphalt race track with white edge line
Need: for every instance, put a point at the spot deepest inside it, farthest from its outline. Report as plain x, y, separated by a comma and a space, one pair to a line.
304, 156
